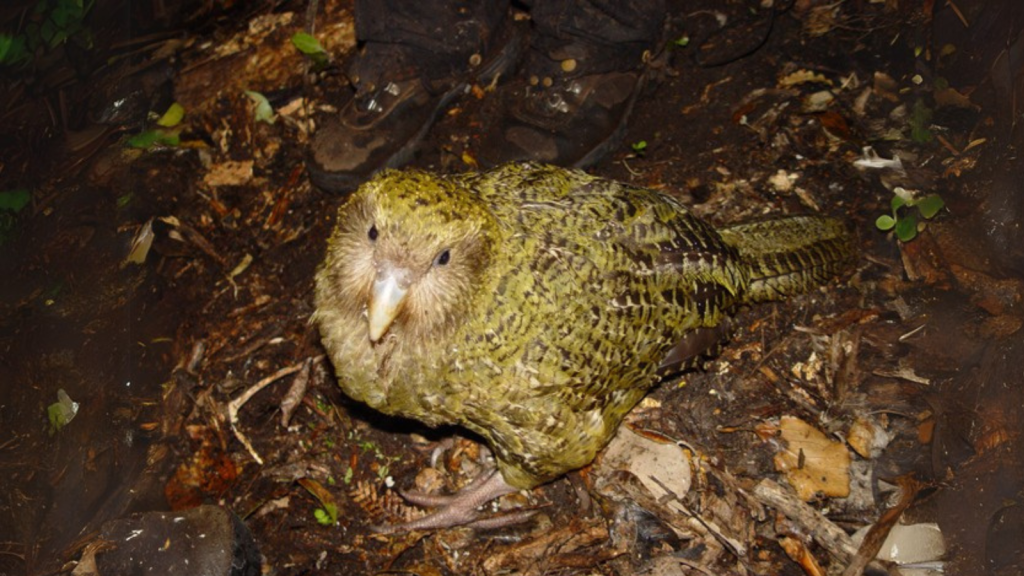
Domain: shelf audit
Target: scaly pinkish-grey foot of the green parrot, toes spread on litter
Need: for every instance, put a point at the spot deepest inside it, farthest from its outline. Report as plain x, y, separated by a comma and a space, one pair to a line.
461, 509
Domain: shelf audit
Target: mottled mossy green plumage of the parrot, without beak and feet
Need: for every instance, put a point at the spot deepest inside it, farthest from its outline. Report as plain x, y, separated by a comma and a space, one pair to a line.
544, 303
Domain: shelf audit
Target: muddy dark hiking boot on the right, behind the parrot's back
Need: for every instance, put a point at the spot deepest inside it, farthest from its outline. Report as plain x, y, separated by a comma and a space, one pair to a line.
564, 117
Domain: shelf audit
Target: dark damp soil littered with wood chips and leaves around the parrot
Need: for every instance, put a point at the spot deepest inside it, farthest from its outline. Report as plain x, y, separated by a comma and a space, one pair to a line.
920, 345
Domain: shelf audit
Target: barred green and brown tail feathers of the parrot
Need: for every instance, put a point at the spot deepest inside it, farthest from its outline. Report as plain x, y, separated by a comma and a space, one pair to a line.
791, 256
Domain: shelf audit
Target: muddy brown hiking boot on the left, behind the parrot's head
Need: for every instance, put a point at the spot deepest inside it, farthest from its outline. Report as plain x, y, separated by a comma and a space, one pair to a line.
393, 108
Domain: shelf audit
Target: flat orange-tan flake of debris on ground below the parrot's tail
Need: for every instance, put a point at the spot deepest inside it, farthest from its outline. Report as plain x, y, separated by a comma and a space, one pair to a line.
814, 465
